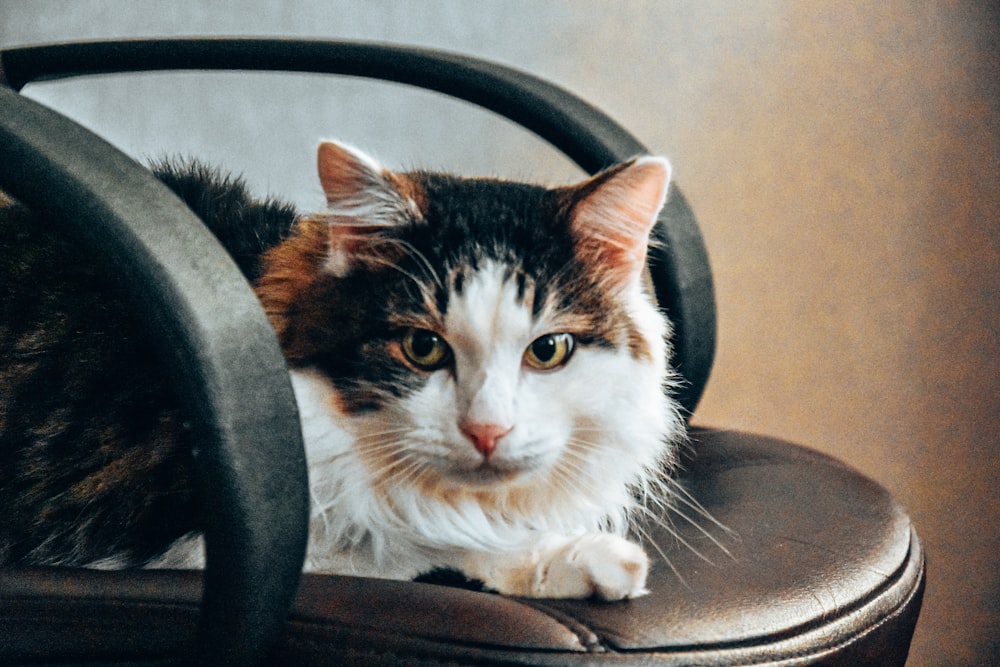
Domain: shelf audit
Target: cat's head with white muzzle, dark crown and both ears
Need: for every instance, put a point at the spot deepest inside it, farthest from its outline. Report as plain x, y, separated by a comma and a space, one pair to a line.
480, 335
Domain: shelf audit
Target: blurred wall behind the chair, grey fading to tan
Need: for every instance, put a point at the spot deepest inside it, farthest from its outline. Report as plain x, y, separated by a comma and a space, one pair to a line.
843, 160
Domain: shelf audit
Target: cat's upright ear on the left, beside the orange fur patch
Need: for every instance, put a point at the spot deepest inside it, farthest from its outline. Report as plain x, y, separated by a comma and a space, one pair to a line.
365, 202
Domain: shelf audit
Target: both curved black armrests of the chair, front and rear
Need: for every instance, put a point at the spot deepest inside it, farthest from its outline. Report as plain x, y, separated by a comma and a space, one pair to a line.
251, 463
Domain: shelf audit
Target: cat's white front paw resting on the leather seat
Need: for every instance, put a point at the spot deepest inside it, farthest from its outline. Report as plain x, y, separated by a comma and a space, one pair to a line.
597, 564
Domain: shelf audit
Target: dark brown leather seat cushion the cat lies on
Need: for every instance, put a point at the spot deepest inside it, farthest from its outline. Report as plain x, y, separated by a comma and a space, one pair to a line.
823, 567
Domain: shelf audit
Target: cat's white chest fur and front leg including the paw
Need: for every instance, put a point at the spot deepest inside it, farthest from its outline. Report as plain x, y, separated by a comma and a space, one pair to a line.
355, 530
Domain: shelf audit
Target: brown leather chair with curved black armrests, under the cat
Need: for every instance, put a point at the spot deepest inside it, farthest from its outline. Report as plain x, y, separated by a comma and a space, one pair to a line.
816, 565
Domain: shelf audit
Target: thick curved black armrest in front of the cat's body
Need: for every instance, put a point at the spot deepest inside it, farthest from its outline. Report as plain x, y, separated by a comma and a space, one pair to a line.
212, 331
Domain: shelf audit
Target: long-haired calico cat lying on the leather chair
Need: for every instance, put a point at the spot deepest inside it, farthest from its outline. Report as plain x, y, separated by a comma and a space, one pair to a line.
480, 372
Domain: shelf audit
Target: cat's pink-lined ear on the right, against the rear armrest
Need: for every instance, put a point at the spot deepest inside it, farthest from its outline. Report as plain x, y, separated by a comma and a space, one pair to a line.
614, 213
